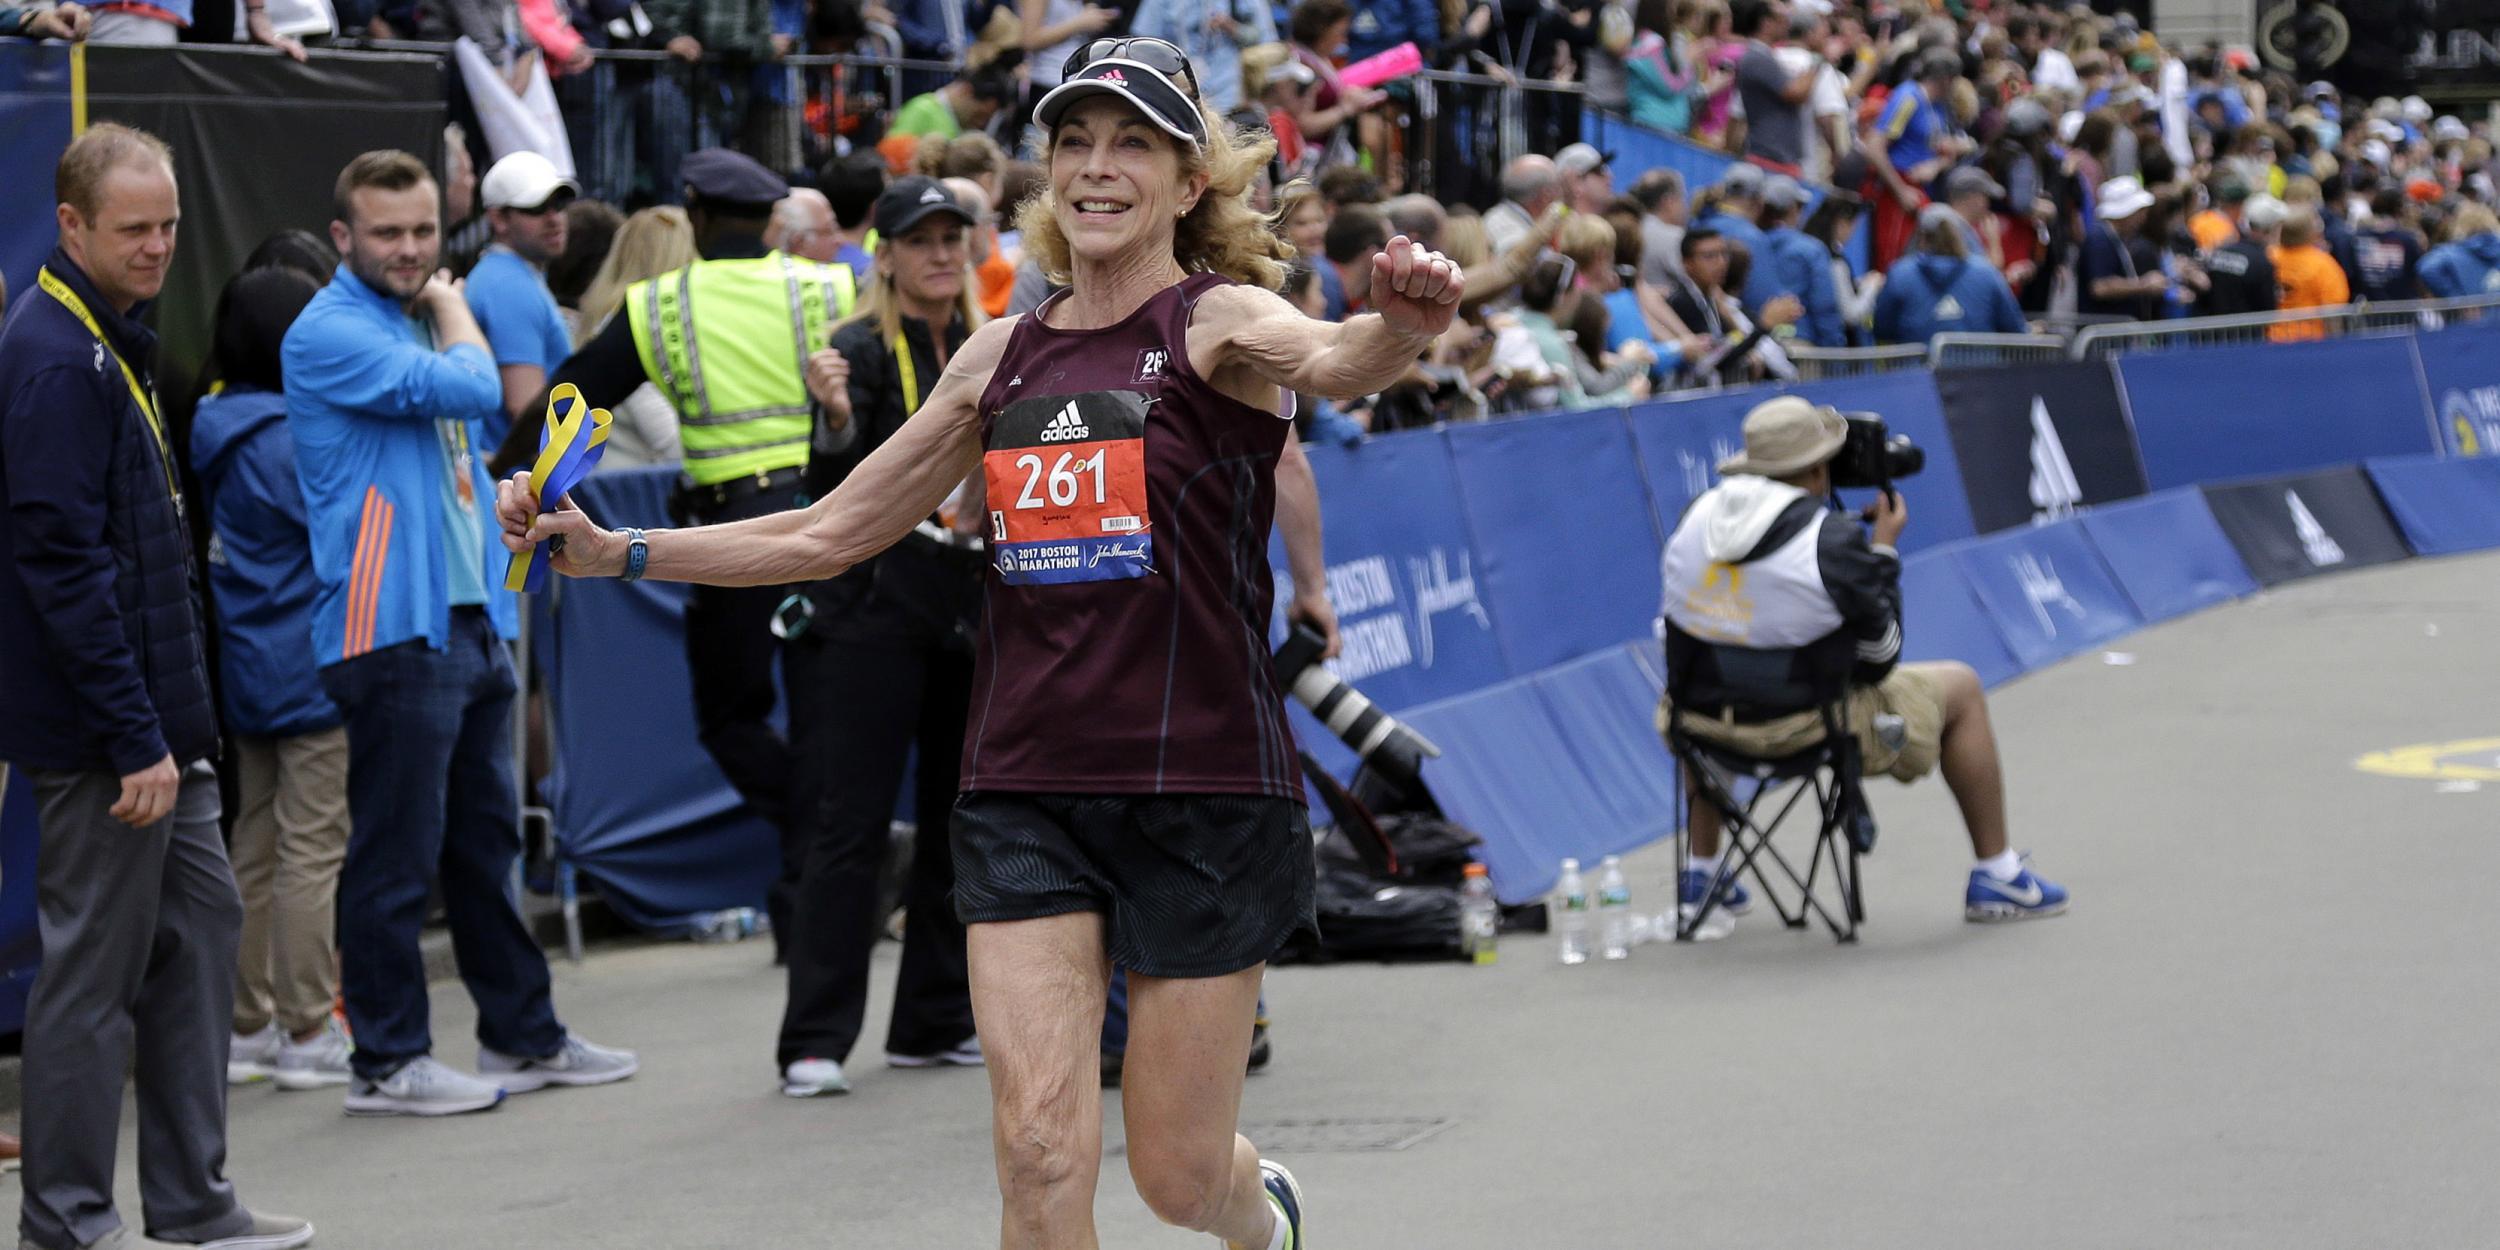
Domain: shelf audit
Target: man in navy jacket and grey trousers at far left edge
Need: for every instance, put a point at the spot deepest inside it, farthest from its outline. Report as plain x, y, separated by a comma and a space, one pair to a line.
109, 714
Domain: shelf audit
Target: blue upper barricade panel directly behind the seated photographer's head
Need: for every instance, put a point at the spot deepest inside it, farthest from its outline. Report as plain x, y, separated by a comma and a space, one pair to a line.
1681, 446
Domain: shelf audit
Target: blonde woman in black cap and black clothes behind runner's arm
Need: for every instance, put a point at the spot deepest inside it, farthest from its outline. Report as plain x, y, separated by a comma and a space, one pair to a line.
881, 666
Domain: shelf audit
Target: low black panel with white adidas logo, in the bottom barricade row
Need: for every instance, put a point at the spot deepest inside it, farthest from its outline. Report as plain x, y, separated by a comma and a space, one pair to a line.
2309, 524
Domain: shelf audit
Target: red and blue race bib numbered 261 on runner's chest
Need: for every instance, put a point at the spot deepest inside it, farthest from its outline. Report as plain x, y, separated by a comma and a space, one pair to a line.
1069, 491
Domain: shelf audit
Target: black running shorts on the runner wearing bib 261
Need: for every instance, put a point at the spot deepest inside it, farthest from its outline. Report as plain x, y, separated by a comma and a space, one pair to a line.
1189, 886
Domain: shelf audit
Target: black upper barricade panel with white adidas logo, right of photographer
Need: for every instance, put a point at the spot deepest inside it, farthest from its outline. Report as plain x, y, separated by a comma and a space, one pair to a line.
2039, 441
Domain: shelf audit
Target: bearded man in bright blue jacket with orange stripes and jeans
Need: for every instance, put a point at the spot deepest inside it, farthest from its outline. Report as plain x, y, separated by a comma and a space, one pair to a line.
389, 384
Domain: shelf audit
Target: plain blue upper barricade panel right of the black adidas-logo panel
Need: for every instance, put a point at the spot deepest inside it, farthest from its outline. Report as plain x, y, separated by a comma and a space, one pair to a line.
2274, 409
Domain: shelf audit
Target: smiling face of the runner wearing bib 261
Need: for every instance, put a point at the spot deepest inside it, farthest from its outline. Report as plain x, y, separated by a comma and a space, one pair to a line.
1116, 181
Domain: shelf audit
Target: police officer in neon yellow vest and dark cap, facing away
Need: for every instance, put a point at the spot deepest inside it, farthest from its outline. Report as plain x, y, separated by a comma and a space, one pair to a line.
726, 339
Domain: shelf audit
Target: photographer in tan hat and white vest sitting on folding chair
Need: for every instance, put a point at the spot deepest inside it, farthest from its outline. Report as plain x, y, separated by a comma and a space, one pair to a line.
1769, 564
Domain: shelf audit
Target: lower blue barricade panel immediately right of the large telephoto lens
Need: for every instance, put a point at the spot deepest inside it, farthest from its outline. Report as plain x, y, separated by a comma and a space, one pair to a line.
1509, 774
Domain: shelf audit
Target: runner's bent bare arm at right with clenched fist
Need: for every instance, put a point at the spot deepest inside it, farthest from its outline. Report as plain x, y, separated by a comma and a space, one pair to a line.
1416, 294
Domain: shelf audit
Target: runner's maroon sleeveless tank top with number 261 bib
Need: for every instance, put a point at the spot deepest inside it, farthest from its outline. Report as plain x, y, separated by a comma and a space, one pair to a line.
1126, 639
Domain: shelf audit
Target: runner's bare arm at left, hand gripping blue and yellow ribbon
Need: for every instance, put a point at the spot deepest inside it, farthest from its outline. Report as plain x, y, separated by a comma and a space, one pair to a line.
876, 506
